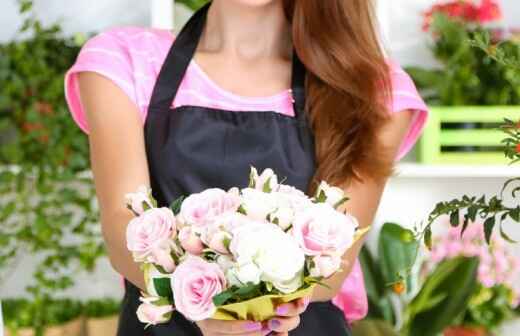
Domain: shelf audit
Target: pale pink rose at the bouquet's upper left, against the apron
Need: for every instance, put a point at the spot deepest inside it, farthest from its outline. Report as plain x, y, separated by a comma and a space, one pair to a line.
203, 208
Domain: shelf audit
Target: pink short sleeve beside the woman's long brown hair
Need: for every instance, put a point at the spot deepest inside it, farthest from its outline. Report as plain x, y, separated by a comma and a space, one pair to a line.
405, 97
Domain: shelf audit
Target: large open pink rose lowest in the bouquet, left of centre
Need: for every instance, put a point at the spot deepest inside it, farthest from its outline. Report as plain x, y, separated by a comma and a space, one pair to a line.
195, 282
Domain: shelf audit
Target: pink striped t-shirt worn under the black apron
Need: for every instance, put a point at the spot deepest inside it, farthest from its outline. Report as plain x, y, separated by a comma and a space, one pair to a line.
132, 57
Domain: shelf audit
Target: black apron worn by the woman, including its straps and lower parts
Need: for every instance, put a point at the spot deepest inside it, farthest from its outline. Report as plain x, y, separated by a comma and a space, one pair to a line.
192, 148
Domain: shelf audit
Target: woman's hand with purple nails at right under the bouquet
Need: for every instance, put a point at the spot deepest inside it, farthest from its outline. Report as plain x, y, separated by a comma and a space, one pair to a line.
288, 317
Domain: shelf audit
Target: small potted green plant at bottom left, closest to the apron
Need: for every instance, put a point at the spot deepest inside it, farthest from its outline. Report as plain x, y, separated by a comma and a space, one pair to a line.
101, 316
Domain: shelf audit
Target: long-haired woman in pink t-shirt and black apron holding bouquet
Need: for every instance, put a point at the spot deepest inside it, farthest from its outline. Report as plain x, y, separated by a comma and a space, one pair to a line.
221, 103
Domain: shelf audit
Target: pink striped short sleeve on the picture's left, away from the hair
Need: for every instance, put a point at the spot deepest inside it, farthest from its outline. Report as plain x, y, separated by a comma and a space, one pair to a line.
106, 54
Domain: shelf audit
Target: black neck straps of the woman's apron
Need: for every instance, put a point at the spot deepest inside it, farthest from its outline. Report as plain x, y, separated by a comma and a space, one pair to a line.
179, 57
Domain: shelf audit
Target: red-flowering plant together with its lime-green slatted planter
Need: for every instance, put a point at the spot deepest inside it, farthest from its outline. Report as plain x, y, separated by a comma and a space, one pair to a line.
468, 92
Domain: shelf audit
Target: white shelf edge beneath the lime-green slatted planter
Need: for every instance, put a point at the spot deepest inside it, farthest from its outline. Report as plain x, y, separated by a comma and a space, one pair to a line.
416, 170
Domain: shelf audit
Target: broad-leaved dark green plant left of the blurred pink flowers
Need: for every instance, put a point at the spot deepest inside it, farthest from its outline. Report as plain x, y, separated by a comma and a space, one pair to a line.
400, 300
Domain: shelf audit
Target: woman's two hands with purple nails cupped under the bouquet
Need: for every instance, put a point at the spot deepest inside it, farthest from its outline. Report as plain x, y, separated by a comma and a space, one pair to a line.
287, 319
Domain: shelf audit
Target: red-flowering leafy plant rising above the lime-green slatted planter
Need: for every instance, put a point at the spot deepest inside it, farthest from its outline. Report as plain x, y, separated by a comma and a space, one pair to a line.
467, 75
